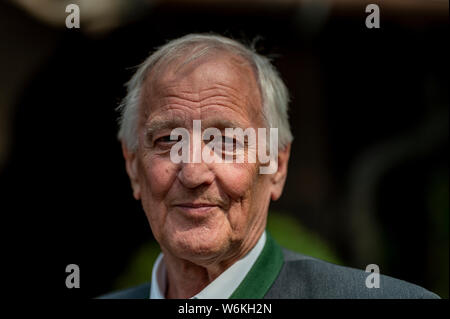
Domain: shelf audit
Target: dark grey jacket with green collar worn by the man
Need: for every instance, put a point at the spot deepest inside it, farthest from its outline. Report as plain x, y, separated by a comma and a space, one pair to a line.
280, 273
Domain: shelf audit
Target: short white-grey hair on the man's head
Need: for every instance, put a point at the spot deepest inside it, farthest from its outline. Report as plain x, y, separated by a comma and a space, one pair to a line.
274, 94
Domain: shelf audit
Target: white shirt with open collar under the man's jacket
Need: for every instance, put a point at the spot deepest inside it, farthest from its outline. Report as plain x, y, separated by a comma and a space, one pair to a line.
220, 288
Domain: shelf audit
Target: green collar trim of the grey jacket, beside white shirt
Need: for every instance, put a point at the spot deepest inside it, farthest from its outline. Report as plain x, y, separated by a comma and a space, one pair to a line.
263, 273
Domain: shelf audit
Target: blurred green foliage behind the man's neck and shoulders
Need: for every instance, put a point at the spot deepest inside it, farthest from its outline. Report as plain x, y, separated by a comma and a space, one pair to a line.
286, 230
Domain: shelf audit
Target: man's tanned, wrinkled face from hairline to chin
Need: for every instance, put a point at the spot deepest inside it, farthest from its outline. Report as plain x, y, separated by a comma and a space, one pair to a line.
201, 212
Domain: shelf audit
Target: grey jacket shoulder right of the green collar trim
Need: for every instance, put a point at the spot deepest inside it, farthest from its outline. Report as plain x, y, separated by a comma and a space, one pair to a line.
306, 277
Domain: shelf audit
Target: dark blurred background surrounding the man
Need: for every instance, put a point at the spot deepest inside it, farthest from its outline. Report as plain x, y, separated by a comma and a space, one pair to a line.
369, 114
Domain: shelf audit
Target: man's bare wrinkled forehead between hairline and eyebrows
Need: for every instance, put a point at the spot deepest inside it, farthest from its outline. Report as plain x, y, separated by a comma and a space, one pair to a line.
216, 83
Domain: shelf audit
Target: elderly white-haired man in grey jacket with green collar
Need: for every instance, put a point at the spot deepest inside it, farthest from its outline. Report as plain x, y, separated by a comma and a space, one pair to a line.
209, 216
